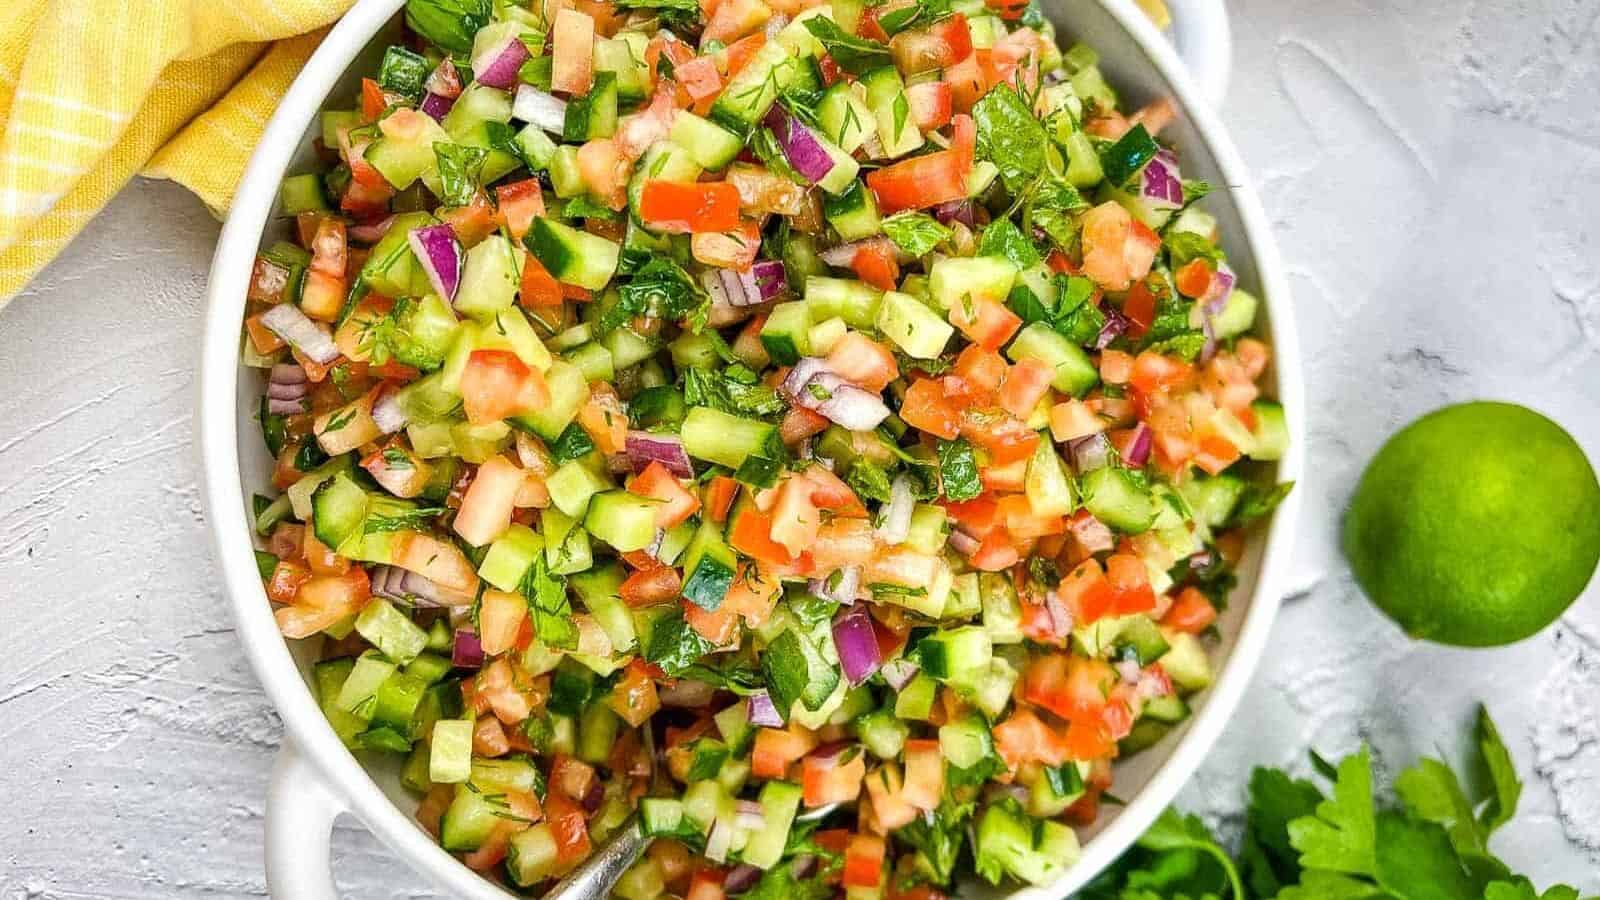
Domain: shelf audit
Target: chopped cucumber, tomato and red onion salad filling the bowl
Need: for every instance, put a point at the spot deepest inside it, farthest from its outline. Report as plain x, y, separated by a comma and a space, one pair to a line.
721, 411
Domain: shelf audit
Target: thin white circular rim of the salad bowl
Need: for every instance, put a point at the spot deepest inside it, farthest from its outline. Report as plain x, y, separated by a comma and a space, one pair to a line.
270, 654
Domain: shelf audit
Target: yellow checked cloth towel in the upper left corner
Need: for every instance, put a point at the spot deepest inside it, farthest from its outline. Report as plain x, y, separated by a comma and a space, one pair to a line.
95, 92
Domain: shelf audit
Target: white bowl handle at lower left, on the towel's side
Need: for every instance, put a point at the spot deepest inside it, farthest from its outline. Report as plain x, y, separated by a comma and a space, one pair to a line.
300, 830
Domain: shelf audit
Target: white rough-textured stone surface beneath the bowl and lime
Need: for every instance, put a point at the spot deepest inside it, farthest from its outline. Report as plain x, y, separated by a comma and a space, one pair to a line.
1434, 177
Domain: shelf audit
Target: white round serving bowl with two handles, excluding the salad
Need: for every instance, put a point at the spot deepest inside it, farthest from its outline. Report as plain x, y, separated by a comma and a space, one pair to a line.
318, 779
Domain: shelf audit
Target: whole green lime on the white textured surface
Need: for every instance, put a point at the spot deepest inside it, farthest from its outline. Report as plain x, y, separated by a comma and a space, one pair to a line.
1476, 524
